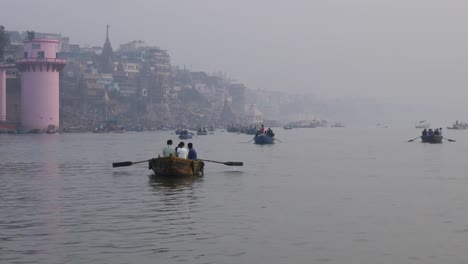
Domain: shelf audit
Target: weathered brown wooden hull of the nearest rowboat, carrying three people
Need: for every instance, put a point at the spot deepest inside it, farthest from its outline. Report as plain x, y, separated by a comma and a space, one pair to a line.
173, 166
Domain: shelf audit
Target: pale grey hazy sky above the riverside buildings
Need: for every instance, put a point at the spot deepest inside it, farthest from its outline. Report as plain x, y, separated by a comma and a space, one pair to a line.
400, 51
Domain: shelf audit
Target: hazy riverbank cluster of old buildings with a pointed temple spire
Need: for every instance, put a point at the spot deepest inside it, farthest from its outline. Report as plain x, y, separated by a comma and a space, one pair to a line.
135, 86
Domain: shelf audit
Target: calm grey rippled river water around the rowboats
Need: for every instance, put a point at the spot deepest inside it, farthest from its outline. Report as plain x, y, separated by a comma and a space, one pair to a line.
323, 195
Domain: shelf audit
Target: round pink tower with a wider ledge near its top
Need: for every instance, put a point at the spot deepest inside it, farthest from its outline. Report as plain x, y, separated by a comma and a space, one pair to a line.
40, 83
